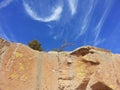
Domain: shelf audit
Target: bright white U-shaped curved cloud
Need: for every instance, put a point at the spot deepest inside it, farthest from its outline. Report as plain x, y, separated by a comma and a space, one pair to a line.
54, 17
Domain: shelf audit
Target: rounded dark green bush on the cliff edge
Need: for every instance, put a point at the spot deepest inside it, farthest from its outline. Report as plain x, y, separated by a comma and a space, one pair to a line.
36, 45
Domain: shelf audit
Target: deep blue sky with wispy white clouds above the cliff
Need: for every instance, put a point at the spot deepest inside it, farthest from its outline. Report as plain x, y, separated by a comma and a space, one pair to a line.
82, 22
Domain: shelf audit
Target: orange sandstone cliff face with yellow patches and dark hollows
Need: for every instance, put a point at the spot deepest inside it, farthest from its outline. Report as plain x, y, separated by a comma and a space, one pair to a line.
86, 68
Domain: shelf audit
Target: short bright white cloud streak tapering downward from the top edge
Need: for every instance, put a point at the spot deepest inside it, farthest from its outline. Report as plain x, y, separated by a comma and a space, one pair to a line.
73, 6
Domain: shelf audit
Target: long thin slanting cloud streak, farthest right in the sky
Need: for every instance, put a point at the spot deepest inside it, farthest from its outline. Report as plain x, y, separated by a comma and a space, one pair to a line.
108, 5
